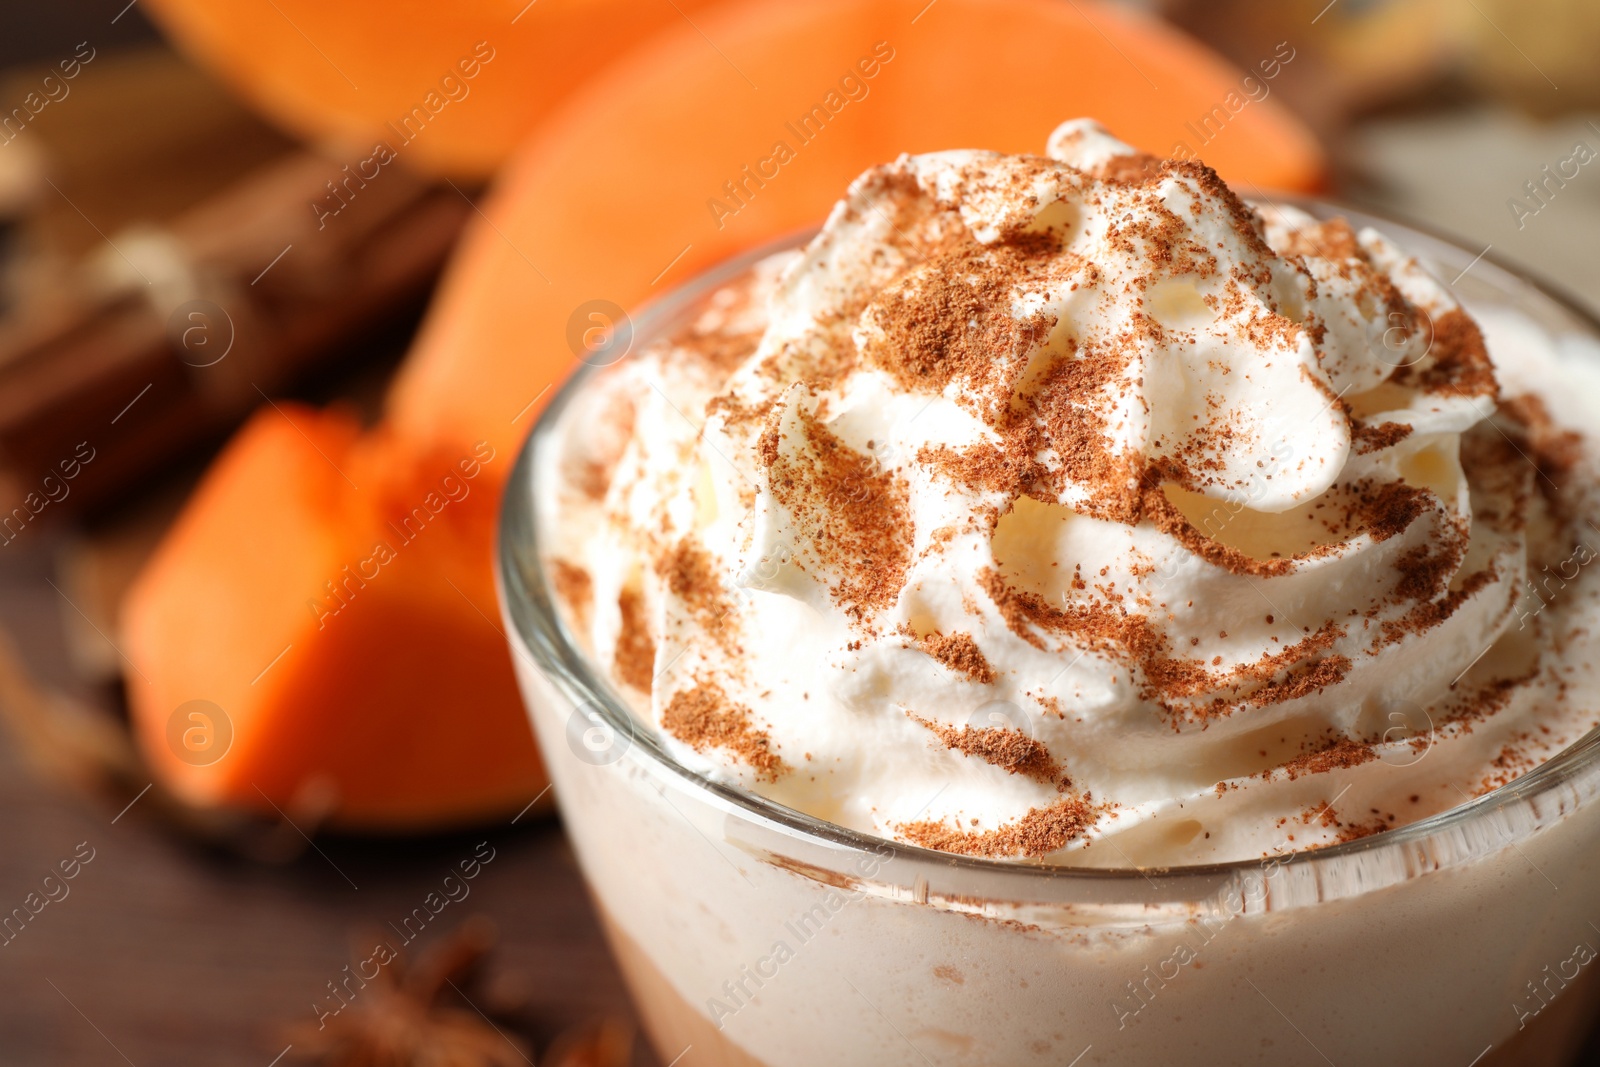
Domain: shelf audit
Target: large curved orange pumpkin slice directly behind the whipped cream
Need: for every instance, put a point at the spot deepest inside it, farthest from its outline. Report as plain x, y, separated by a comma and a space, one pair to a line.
711, 143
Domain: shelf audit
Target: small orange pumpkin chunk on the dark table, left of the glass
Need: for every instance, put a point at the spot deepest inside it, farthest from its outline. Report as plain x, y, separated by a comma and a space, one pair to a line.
327, 599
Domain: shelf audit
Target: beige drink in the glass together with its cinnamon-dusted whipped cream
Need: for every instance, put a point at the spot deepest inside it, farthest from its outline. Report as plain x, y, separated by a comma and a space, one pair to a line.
1071, 513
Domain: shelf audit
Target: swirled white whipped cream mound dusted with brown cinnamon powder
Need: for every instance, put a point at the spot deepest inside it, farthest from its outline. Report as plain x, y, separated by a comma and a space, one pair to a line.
1054, 500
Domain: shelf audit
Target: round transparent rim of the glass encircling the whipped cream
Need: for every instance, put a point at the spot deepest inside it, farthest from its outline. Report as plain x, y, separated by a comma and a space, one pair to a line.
540, 631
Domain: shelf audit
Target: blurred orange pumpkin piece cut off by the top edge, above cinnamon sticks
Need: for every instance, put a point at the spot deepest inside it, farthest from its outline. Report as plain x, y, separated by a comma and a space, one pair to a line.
449, 87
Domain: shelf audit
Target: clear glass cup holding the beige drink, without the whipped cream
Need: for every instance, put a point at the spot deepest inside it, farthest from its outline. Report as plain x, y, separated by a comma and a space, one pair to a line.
753, 933
